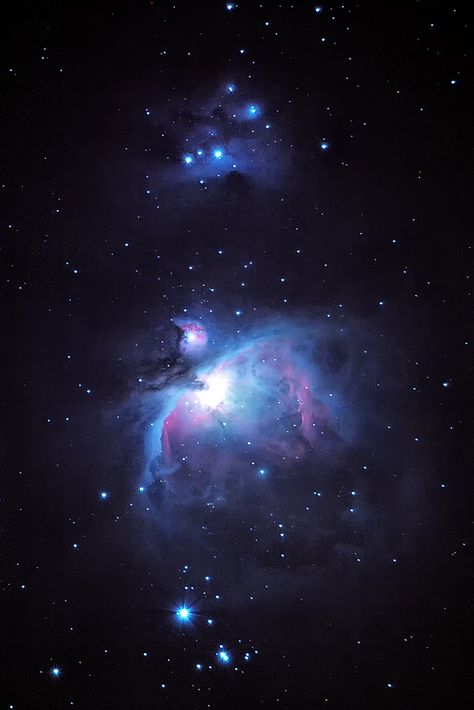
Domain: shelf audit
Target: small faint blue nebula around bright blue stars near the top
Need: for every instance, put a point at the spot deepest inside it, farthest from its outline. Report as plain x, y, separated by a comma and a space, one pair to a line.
213, 134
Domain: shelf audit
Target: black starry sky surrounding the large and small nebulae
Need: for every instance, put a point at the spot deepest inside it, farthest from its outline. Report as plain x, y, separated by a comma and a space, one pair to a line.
77, 145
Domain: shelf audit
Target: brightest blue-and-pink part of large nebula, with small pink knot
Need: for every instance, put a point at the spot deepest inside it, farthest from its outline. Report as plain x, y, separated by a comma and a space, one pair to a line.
255, 401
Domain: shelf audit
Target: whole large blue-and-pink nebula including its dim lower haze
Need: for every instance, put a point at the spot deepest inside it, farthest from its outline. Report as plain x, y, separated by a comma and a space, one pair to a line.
259, 453
